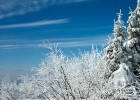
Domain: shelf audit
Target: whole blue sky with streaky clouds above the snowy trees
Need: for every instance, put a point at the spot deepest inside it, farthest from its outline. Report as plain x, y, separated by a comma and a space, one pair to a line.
25, 24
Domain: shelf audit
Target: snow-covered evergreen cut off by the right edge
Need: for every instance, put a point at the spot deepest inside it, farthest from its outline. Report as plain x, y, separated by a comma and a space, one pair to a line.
133, 42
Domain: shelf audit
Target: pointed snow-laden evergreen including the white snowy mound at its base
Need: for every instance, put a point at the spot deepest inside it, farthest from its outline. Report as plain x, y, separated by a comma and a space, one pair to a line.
117, 56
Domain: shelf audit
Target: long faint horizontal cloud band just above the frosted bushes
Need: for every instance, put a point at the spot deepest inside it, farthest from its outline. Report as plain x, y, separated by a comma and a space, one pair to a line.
63, 43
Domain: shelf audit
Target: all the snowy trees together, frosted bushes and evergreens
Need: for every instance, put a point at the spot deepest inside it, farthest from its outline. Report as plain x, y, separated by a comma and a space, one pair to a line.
111, 75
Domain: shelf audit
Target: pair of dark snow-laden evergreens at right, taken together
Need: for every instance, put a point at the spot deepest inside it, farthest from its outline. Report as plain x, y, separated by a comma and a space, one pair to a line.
123, 54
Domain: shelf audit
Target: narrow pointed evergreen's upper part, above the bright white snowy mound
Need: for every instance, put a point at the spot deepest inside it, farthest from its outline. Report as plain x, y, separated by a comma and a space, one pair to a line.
114, 51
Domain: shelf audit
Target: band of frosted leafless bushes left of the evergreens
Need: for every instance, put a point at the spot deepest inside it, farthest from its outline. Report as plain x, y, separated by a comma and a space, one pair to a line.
61, 78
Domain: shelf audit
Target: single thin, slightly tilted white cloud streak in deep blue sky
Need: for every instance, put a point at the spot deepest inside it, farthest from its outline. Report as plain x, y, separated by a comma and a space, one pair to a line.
34, 24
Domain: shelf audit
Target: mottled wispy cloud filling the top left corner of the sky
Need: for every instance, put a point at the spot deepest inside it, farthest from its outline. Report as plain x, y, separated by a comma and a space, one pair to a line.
10, 8
